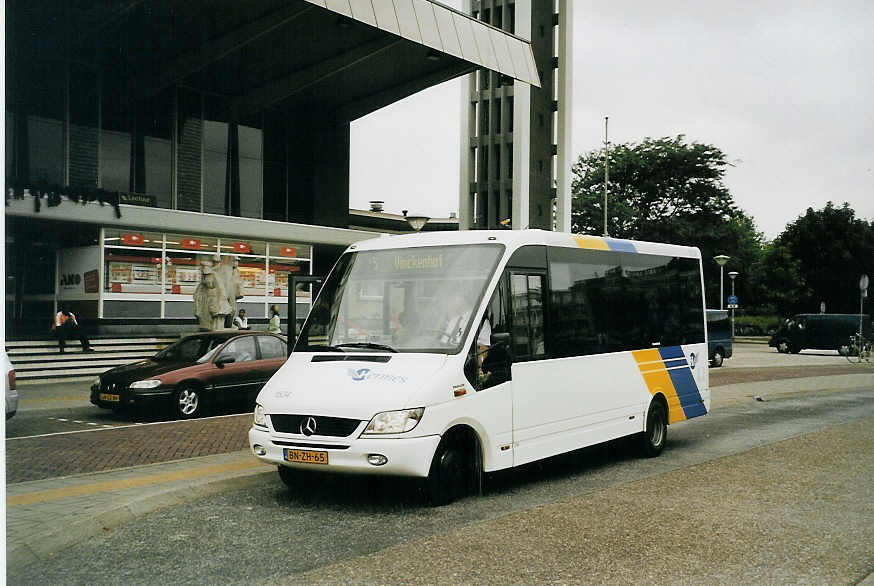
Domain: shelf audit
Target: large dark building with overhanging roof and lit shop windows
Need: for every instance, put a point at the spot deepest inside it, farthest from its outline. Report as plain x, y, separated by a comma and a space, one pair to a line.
144, 135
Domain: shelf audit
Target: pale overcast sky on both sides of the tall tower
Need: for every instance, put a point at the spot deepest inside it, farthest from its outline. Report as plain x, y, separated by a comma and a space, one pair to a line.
784, 88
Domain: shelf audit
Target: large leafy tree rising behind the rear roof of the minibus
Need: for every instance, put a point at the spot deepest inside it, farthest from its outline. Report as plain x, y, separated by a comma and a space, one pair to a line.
668, 190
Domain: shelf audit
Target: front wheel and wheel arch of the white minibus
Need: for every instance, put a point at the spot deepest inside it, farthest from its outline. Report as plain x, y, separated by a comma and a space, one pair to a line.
456, 468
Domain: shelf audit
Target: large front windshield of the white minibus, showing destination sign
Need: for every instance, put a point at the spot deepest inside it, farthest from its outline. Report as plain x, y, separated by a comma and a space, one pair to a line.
404, 300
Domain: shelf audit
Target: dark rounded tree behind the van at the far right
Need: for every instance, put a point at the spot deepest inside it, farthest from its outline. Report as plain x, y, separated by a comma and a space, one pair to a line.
833, 249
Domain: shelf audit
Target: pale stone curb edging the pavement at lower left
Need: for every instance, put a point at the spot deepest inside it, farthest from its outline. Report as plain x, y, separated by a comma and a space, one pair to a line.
43, 544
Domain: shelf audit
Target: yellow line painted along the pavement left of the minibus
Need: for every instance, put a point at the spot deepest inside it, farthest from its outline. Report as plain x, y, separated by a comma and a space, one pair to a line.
120, 484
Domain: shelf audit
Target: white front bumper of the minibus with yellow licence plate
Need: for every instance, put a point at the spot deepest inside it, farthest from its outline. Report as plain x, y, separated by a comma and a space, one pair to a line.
403, 456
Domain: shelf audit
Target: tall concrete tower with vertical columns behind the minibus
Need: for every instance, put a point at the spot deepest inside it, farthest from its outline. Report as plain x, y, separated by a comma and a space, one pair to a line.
515, 138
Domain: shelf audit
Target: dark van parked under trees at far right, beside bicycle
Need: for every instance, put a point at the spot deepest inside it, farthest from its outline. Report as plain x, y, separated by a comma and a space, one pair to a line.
823, 331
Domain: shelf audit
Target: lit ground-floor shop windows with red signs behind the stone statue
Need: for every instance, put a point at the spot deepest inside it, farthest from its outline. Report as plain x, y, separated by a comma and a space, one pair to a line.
160, 271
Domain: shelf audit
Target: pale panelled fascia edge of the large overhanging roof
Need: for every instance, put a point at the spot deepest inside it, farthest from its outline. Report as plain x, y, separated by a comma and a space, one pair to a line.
445, 30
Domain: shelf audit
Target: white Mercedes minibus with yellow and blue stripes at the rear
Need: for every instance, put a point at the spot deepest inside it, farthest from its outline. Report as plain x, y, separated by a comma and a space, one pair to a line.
445, 355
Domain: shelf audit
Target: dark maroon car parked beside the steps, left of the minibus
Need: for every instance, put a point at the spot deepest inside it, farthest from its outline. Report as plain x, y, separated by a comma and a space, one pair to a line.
197, 372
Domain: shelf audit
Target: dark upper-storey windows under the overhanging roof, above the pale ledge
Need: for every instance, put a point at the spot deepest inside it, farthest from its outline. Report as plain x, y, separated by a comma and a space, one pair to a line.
176, 149
